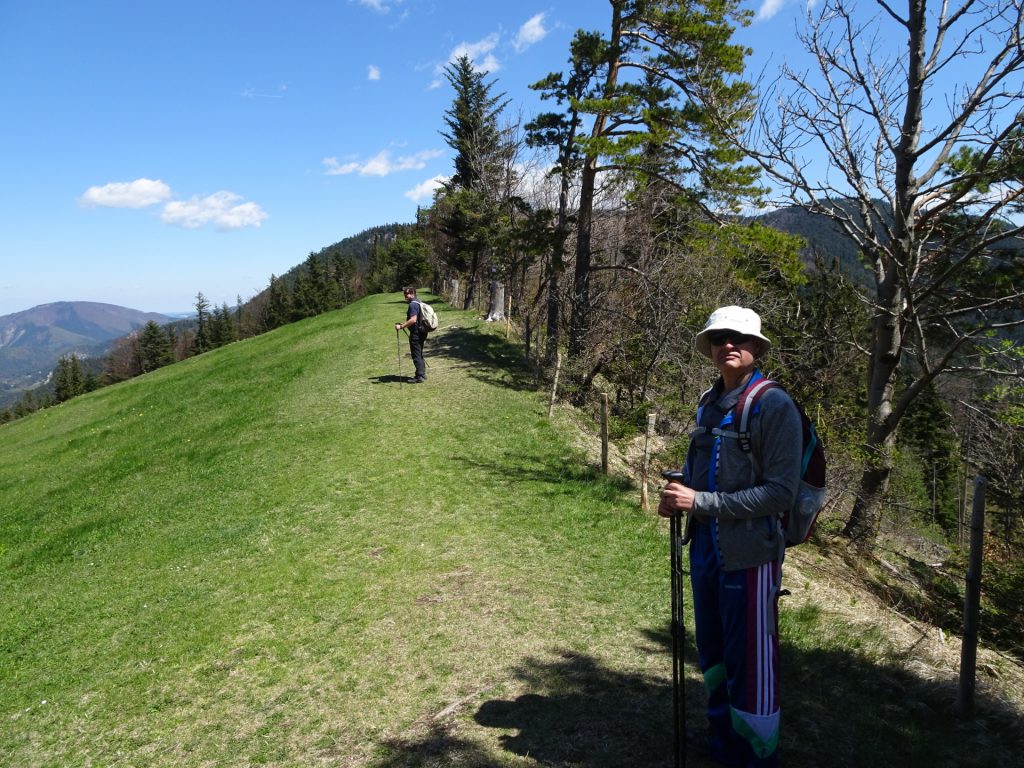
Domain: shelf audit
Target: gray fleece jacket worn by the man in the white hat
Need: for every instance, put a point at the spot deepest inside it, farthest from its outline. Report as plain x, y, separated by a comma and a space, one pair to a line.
753, 489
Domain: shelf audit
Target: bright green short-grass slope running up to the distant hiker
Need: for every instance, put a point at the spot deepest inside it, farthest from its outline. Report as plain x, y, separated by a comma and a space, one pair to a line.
279, 554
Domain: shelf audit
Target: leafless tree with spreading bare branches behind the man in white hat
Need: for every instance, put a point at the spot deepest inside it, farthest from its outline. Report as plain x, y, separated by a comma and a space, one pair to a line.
906, 132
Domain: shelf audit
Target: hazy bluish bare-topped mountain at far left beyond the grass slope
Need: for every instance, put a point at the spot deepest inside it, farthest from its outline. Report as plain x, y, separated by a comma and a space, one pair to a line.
32, 342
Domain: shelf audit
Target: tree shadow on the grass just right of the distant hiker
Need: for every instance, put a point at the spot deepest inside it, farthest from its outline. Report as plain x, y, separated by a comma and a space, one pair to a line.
492, 359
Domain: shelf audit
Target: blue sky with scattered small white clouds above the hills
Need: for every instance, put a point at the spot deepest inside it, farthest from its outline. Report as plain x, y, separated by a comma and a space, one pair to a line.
151, 150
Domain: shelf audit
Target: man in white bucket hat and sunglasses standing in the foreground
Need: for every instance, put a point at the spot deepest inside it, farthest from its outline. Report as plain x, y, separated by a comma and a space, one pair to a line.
733, 497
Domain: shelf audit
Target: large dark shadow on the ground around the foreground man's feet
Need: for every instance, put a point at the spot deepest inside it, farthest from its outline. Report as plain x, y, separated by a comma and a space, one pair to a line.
838, 710
